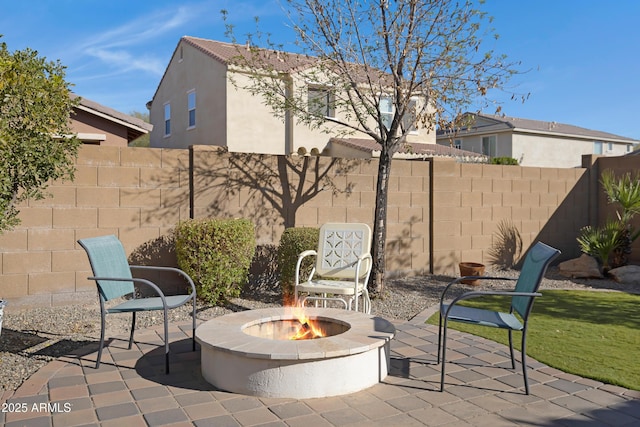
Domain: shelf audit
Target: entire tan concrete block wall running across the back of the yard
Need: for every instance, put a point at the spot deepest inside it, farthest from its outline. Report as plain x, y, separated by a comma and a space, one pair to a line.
440, 212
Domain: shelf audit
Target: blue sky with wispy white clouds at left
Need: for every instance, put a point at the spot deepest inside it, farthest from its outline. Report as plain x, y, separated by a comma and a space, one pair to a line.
583, 55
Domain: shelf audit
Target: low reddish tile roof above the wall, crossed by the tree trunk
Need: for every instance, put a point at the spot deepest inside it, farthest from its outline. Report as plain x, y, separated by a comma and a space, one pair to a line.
412, 149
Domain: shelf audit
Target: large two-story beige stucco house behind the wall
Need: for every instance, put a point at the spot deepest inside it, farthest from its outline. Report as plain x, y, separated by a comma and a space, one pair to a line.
201, 101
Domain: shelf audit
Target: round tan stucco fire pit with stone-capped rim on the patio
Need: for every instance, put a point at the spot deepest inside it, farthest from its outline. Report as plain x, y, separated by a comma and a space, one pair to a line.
241, 355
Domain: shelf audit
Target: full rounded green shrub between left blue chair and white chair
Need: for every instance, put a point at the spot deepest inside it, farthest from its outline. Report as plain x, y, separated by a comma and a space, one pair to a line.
217, 254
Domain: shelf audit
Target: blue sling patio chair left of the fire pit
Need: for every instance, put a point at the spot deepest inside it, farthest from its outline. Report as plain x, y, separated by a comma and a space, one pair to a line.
113, 276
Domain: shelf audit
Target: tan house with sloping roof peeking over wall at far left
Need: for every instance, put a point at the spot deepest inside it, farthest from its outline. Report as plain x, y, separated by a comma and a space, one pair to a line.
100, 125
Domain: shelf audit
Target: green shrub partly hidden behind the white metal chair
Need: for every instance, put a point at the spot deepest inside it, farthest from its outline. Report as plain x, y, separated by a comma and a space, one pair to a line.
292, 242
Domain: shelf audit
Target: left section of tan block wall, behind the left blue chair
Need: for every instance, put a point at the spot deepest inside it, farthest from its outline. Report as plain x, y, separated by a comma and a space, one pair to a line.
121, 191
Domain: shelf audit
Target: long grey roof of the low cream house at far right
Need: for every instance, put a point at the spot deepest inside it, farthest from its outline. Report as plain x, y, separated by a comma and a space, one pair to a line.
495, 124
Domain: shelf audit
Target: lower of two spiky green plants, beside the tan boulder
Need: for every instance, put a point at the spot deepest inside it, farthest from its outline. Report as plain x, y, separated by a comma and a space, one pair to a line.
602, 242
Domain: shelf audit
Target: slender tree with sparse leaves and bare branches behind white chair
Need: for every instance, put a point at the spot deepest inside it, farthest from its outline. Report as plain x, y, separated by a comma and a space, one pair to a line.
391, 66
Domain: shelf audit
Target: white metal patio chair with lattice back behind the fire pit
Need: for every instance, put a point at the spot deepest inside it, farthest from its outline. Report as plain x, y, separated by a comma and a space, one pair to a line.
342, 267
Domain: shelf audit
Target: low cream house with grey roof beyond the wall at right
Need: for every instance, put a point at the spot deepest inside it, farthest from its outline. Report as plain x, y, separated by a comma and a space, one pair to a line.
532, 142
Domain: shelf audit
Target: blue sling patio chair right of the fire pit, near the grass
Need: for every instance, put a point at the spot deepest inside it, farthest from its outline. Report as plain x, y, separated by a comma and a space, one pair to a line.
535, 265
